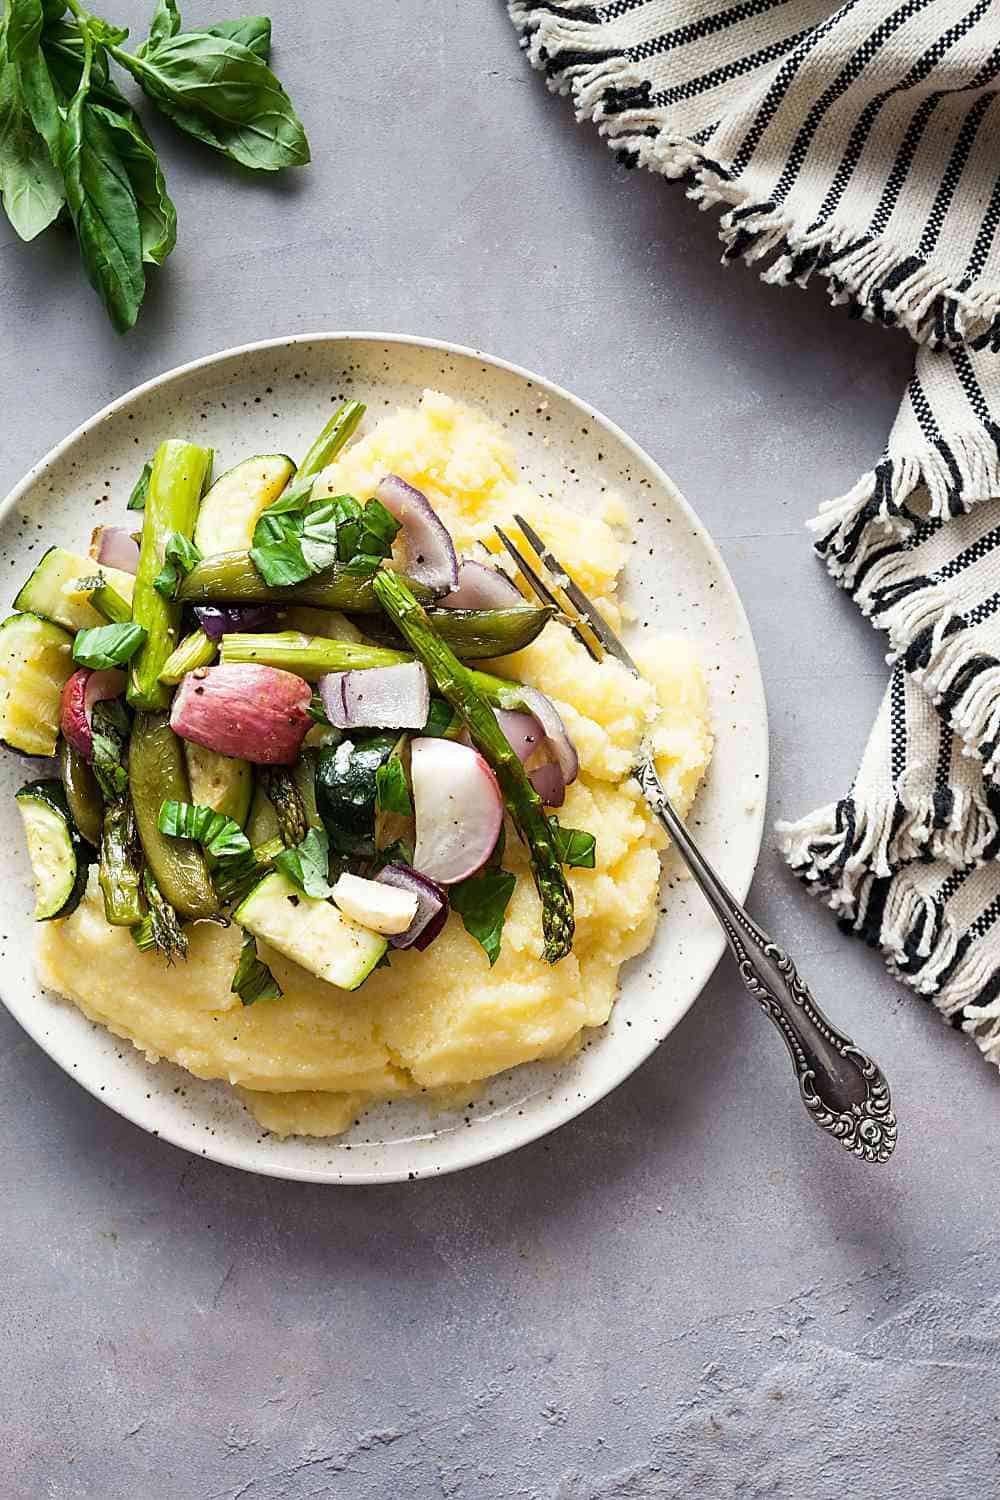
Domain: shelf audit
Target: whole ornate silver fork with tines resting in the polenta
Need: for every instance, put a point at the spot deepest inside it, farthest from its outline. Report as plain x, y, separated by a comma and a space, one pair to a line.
843, 1090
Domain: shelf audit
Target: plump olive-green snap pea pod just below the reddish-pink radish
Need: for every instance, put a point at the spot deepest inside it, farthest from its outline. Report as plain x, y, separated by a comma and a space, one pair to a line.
157, 776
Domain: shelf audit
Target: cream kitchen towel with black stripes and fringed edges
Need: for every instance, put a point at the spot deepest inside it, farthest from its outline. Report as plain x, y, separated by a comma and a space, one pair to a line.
861, 143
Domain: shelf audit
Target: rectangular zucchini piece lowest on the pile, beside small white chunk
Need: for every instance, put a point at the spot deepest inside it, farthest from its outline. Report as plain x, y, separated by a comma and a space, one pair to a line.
313, 934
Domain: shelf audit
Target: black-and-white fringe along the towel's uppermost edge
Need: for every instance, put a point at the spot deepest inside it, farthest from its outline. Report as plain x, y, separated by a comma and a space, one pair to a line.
876, 280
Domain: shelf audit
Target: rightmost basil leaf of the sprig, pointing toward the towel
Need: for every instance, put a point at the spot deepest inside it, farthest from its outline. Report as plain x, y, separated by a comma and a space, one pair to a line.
224, 95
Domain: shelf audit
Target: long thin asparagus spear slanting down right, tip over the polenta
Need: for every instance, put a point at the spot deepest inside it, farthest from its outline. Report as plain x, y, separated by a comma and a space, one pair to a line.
458, 685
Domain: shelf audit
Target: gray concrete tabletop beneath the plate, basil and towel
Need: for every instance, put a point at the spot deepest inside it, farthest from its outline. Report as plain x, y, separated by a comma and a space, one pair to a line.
687, 1292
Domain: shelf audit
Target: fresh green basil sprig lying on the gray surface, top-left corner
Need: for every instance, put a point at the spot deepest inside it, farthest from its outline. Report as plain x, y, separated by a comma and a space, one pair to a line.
68, 137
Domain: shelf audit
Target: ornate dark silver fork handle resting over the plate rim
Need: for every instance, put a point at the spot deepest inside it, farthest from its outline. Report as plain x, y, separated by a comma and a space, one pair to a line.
842, 1087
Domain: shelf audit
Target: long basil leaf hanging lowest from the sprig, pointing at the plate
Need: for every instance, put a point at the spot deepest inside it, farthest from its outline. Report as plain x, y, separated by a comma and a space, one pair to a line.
104, 211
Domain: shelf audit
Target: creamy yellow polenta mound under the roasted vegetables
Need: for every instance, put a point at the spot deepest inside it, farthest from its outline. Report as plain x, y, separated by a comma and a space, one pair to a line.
310, 1063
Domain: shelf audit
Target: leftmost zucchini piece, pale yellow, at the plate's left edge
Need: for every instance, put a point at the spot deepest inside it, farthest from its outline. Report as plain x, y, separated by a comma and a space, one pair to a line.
35, 662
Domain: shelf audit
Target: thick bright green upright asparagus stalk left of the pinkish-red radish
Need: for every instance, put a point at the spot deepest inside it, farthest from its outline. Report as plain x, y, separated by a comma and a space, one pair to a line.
176, 488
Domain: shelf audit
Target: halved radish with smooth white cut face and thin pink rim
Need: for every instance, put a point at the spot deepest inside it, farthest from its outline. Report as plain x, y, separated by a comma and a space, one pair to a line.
458, 808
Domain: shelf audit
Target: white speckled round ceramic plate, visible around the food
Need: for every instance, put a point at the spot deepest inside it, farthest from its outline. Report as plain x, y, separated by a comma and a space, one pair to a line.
271, 398
